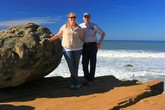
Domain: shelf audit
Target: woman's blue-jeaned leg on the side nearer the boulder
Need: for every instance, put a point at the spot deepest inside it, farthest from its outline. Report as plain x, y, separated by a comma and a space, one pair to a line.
70, 58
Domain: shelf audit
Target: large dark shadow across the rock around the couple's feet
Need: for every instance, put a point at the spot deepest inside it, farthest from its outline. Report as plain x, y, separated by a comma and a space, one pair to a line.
55, 87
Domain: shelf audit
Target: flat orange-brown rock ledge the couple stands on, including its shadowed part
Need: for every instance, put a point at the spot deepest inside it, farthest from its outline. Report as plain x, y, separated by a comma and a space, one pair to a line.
108, 93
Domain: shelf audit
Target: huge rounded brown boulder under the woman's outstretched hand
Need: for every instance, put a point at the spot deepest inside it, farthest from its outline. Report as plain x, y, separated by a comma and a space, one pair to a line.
25, 55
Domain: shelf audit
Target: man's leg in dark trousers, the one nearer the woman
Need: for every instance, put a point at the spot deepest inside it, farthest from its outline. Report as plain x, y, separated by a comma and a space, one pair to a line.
85, 62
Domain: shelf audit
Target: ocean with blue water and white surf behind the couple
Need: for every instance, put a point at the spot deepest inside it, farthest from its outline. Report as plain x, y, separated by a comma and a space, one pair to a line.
128, 60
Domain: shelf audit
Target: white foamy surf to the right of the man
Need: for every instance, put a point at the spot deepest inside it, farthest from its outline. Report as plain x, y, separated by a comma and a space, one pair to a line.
144, 63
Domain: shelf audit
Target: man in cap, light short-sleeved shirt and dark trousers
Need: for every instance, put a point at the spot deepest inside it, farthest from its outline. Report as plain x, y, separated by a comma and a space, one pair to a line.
90, 47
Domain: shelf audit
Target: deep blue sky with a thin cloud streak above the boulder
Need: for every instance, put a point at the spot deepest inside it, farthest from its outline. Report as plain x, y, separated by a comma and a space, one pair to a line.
120, 19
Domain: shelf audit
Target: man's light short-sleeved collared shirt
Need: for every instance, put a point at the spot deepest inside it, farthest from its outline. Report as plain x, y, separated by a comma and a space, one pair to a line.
90, 32
